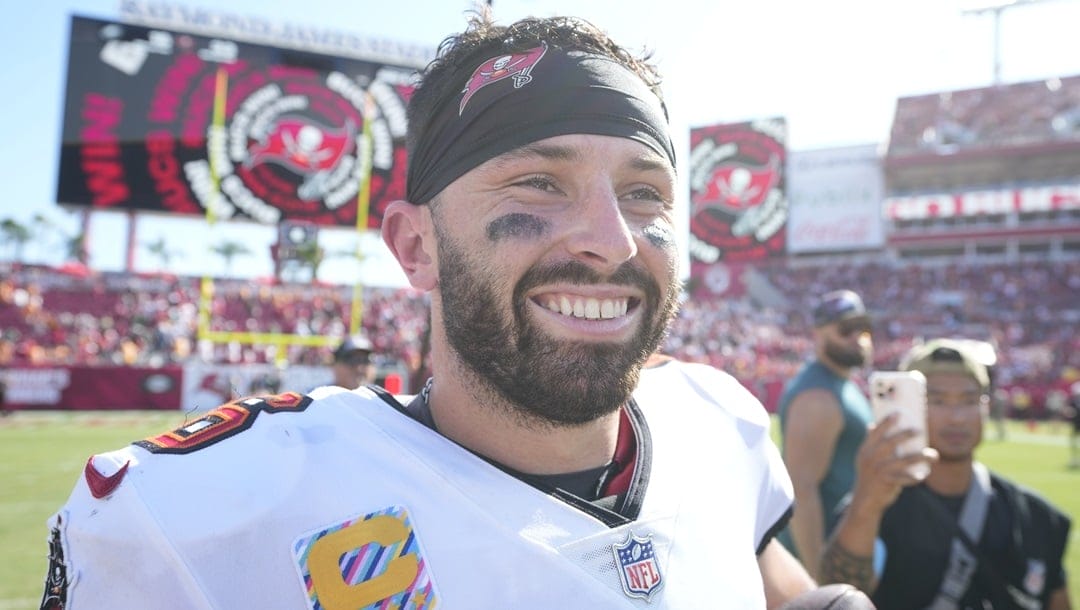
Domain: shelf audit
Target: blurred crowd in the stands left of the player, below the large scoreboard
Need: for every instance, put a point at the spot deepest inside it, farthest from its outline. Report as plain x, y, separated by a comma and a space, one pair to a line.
116, 319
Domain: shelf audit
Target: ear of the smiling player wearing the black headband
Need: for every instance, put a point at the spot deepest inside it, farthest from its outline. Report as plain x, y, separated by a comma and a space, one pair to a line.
409, 234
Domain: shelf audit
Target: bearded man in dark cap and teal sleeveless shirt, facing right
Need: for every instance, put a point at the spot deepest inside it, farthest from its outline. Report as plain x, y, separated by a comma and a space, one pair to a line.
823, 419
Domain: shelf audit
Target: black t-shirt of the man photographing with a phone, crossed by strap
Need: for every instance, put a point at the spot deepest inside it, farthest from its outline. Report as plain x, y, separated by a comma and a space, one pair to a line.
1022, 547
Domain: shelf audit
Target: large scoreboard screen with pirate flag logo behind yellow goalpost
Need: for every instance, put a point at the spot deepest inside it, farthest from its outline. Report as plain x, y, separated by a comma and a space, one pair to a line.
166, 121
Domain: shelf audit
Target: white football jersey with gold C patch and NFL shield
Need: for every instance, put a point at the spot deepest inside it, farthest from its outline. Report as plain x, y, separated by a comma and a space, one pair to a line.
342, 501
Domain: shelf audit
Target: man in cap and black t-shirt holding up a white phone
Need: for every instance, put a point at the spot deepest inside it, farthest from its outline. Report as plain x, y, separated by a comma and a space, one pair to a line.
963, 537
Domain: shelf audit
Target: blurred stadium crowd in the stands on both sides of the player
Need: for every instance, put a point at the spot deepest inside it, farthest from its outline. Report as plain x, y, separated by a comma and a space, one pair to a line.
1030, 310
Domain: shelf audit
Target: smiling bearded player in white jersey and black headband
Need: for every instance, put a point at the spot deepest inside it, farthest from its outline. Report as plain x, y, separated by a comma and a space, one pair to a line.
543, 466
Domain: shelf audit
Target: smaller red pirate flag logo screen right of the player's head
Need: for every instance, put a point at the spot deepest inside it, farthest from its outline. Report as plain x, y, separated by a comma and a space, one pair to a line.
738, 200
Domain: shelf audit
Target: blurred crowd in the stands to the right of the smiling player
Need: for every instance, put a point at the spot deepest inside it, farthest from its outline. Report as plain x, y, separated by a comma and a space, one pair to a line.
1029, 310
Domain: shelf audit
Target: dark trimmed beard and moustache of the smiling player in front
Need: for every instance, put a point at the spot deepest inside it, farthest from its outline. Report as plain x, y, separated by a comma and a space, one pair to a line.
555, 382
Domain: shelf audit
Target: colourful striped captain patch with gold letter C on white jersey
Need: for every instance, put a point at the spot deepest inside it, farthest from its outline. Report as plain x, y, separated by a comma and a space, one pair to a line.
367, 563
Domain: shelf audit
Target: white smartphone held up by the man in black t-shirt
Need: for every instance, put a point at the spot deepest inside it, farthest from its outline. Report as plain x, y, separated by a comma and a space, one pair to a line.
903, 394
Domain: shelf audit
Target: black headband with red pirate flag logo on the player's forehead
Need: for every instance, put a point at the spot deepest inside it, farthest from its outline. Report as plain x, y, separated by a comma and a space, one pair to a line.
514, 100
